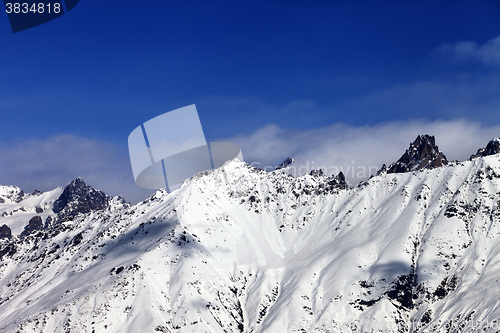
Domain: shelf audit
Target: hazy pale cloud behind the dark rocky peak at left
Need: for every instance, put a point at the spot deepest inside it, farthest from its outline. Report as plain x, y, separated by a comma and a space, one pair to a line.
46, 164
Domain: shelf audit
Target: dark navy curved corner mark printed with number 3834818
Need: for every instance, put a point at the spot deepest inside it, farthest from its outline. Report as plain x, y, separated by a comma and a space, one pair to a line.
26, 14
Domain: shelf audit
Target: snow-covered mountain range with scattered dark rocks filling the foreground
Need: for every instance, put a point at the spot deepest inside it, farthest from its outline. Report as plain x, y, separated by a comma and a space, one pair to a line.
238, 249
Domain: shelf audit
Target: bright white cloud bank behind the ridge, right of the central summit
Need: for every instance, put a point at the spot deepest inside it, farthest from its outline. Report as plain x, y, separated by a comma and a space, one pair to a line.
359, 151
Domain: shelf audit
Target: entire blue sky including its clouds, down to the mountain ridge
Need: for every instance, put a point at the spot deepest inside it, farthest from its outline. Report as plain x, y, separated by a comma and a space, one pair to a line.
257, 71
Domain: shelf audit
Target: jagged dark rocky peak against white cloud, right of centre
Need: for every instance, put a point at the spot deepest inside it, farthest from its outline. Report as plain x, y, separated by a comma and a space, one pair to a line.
422, 154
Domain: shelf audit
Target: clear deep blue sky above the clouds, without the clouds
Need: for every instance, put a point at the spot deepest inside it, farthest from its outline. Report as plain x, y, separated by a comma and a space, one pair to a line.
107, 66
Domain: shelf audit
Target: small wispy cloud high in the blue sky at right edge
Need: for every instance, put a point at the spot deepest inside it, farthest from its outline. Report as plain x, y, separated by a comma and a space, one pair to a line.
488, 54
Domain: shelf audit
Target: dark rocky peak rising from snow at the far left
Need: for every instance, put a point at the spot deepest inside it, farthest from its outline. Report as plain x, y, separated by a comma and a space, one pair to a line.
79, 197
